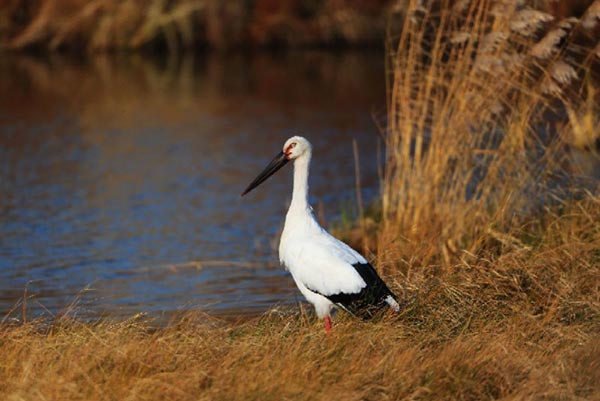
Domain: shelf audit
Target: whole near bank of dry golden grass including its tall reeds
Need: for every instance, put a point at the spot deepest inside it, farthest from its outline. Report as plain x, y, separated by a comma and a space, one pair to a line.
485, 232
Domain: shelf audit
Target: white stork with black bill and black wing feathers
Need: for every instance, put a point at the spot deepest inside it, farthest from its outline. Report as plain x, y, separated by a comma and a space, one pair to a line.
327, 271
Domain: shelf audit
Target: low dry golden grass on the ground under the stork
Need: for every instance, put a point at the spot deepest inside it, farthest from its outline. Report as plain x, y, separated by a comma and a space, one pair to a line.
523, 325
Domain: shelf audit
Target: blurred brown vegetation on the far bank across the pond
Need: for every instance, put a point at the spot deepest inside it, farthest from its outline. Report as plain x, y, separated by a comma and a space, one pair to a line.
96, 25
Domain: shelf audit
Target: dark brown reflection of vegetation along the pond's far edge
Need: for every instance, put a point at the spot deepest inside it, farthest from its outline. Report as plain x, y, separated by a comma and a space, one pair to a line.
104, 82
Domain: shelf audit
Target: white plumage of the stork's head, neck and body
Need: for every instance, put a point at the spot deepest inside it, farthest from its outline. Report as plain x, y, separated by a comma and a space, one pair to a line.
320, 264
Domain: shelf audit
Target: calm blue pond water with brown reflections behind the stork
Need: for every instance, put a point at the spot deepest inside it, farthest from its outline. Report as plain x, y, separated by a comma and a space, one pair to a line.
121, 176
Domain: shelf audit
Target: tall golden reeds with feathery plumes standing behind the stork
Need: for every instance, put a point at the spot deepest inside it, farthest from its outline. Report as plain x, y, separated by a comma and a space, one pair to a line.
476, 122
